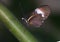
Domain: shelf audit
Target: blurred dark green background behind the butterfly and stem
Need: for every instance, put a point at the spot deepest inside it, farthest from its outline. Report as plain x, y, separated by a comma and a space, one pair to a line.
48, 32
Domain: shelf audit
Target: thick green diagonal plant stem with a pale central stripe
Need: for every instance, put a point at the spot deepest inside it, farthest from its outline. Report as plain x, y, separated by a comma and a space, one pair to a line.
14, 26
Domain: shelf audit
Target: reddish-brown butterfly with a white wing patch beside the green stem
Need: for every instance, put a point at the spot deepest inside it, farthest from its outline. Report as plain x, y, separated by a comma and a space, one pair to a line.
38, 16
